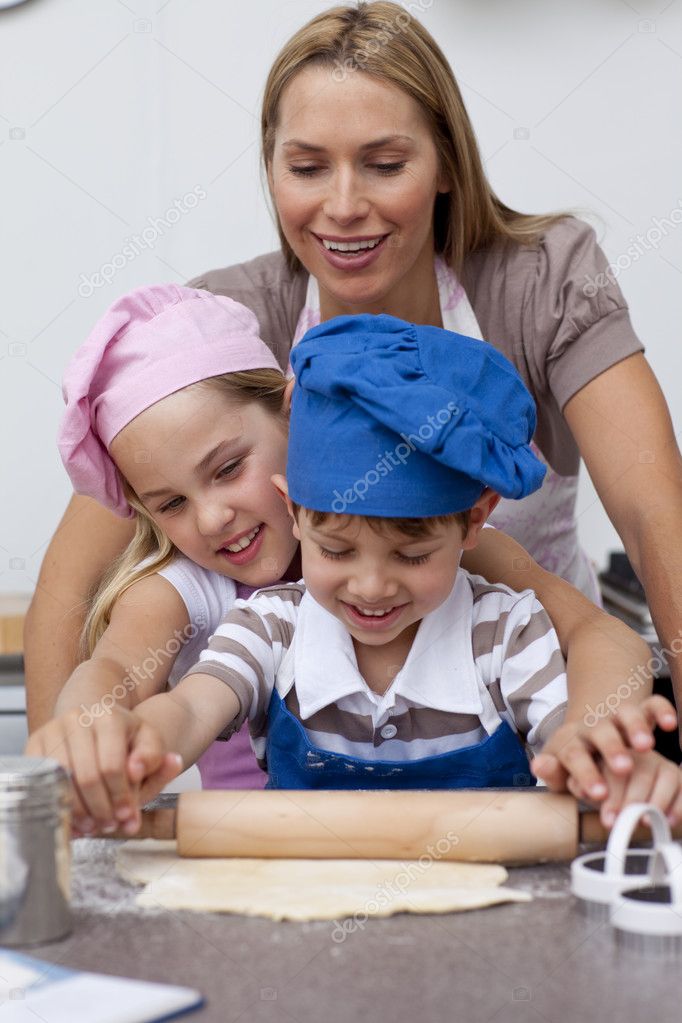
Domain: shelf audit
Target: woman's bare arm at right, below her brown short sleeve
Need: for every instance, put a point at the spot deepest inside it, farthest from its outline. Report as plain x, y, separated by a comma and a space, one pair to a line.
622, 425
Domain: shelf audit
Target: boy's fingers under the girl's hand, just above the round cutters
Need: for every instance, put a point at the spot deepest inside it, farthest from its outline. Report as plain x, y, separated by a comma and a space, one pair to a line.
654, 780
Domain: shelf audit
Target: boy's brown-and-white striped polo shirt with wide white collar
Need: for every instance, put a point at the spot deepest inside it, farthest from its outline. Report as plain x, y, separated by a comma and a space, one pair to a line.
487, 654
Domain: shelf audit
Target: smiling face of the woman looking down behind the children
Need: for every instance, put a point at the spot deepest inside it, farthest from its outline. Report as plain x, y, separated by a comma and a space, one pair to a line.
355, 164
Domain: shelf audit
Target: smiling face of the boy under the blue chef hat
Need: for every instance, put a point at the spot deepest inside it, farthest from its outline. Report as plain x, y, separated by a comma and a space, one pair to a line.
378, 585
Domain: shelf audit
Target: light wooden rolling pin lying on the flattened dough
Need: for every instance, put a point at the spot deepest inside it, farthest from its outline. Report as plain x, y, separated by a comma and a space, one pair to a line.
482, 826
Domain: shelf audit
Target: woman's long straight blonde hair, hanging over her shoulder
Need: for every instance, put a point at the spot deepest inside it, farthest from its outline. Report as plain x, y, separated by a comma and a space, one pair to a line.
382, 39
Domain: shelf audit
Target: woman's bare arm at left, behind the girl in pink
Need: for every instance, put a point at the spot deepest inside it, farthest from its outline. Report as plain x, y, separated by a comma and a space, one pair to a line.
86, 542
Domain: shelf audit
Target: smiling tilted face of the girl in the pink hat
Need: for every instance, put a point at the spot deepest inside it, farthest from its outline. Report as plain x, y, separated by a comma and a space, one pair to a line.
202, 467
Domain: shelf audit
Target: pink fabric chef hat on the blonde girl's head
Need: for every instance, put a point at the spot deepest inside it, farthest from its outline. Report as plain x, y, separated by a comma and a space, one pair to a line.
148, 345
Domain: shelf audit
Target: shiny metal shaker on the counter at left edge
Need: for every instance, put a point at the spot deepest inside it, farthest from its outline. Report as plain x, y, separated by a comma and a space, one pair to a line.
35, 853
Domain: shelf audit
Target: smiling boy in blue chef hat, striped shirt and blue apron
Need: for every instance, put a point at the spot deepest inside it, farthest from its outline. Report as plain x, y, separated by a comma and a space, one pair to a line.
388, 668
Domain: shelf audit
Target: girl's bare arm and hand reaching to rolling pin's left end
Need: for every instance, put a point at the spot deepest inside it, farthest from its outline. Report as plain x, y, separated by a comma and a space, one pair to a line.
131, 662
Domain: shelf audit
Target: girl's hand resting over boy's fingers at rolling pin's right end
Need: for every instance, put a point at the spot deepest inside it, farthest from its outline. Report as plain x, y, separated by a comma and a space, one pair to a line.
577, 757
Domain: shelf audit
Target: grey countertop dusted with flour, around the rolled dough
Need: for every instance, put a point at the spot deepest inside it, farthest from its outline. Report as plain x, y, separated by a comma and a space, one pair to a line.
535, 962
